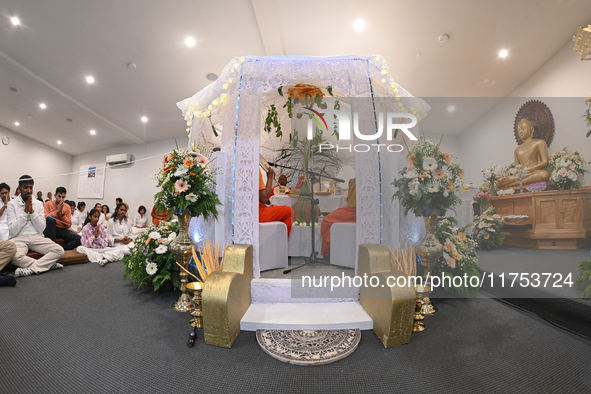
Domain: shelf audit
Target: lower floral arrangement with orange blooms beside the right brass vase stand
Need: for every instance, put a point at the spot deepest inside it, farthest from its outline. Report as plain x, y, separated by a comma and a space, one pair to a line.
458, 258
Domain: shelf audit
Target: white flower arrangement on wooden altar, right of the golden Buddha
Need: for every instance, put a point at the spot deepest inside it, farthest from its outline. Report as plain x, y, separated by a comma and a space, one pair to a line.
566, 167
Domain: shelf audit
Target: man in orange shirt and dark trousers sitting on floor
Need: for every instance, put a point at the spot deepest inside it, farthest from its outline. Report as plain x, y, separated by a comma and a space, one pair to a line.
58, 217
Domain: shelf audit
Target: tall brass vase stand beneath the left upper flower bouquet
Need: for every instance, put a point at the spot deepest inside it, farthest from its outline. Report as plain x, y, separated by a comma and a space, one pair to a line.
182, 249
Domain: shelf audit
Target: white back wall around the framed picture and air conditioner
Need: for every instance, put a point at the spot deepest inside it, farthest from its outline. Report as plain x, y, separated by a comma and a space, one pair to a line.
134, 184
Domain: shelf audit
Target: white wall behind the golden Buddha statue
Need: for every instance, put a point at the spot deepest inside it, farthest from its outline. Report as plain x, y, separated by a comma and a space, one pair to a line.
562, 84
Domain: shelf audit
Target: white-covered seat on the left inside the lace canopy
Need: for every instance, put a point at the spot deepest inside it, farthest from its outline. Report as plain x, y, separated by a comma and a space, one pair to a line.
273, 246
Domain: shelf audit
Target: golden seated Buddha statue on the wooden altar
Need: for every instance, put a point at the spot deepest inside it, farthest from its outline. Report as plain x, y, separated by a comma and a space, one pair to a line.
531, 155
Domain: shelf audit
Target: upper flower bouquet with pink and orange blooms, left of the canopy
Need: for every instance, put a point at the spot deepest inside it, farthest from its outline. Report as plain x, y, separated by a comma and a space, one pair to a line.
187, 182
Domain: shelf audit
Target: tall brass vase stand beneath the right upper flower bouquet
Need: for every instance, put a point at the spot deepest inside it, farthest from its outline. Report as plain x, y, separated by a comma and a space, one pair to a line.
429, 249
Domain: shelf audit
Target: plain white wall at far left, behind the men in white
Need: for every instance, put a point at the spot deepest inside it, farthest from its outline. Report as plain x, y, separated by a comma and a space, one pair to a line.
26, 156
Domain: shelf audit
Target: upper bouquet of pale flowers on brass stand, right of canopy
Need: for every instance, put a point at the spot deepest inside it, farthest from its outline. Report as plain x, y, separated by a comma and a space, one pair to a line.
431, 180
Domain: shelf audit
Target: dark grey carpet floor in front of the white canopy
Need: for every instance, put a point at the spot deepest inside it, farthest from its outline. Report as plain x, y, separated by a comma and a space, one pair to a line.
84, 329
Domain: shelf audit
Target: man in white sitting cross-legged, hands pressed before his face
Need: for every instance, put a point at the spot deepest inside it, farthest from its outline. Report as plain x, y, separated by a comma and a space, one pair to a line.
26, 222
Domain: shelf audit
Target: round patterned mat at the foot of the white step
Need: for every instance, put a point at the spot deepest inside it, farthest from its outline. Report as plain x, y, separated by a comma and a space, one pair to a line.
309, 347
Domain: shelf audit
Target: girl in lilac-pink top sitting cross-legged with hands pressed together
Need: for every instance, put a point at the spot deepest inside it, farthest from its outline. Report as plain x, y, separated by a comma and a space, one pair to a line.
95, 242
